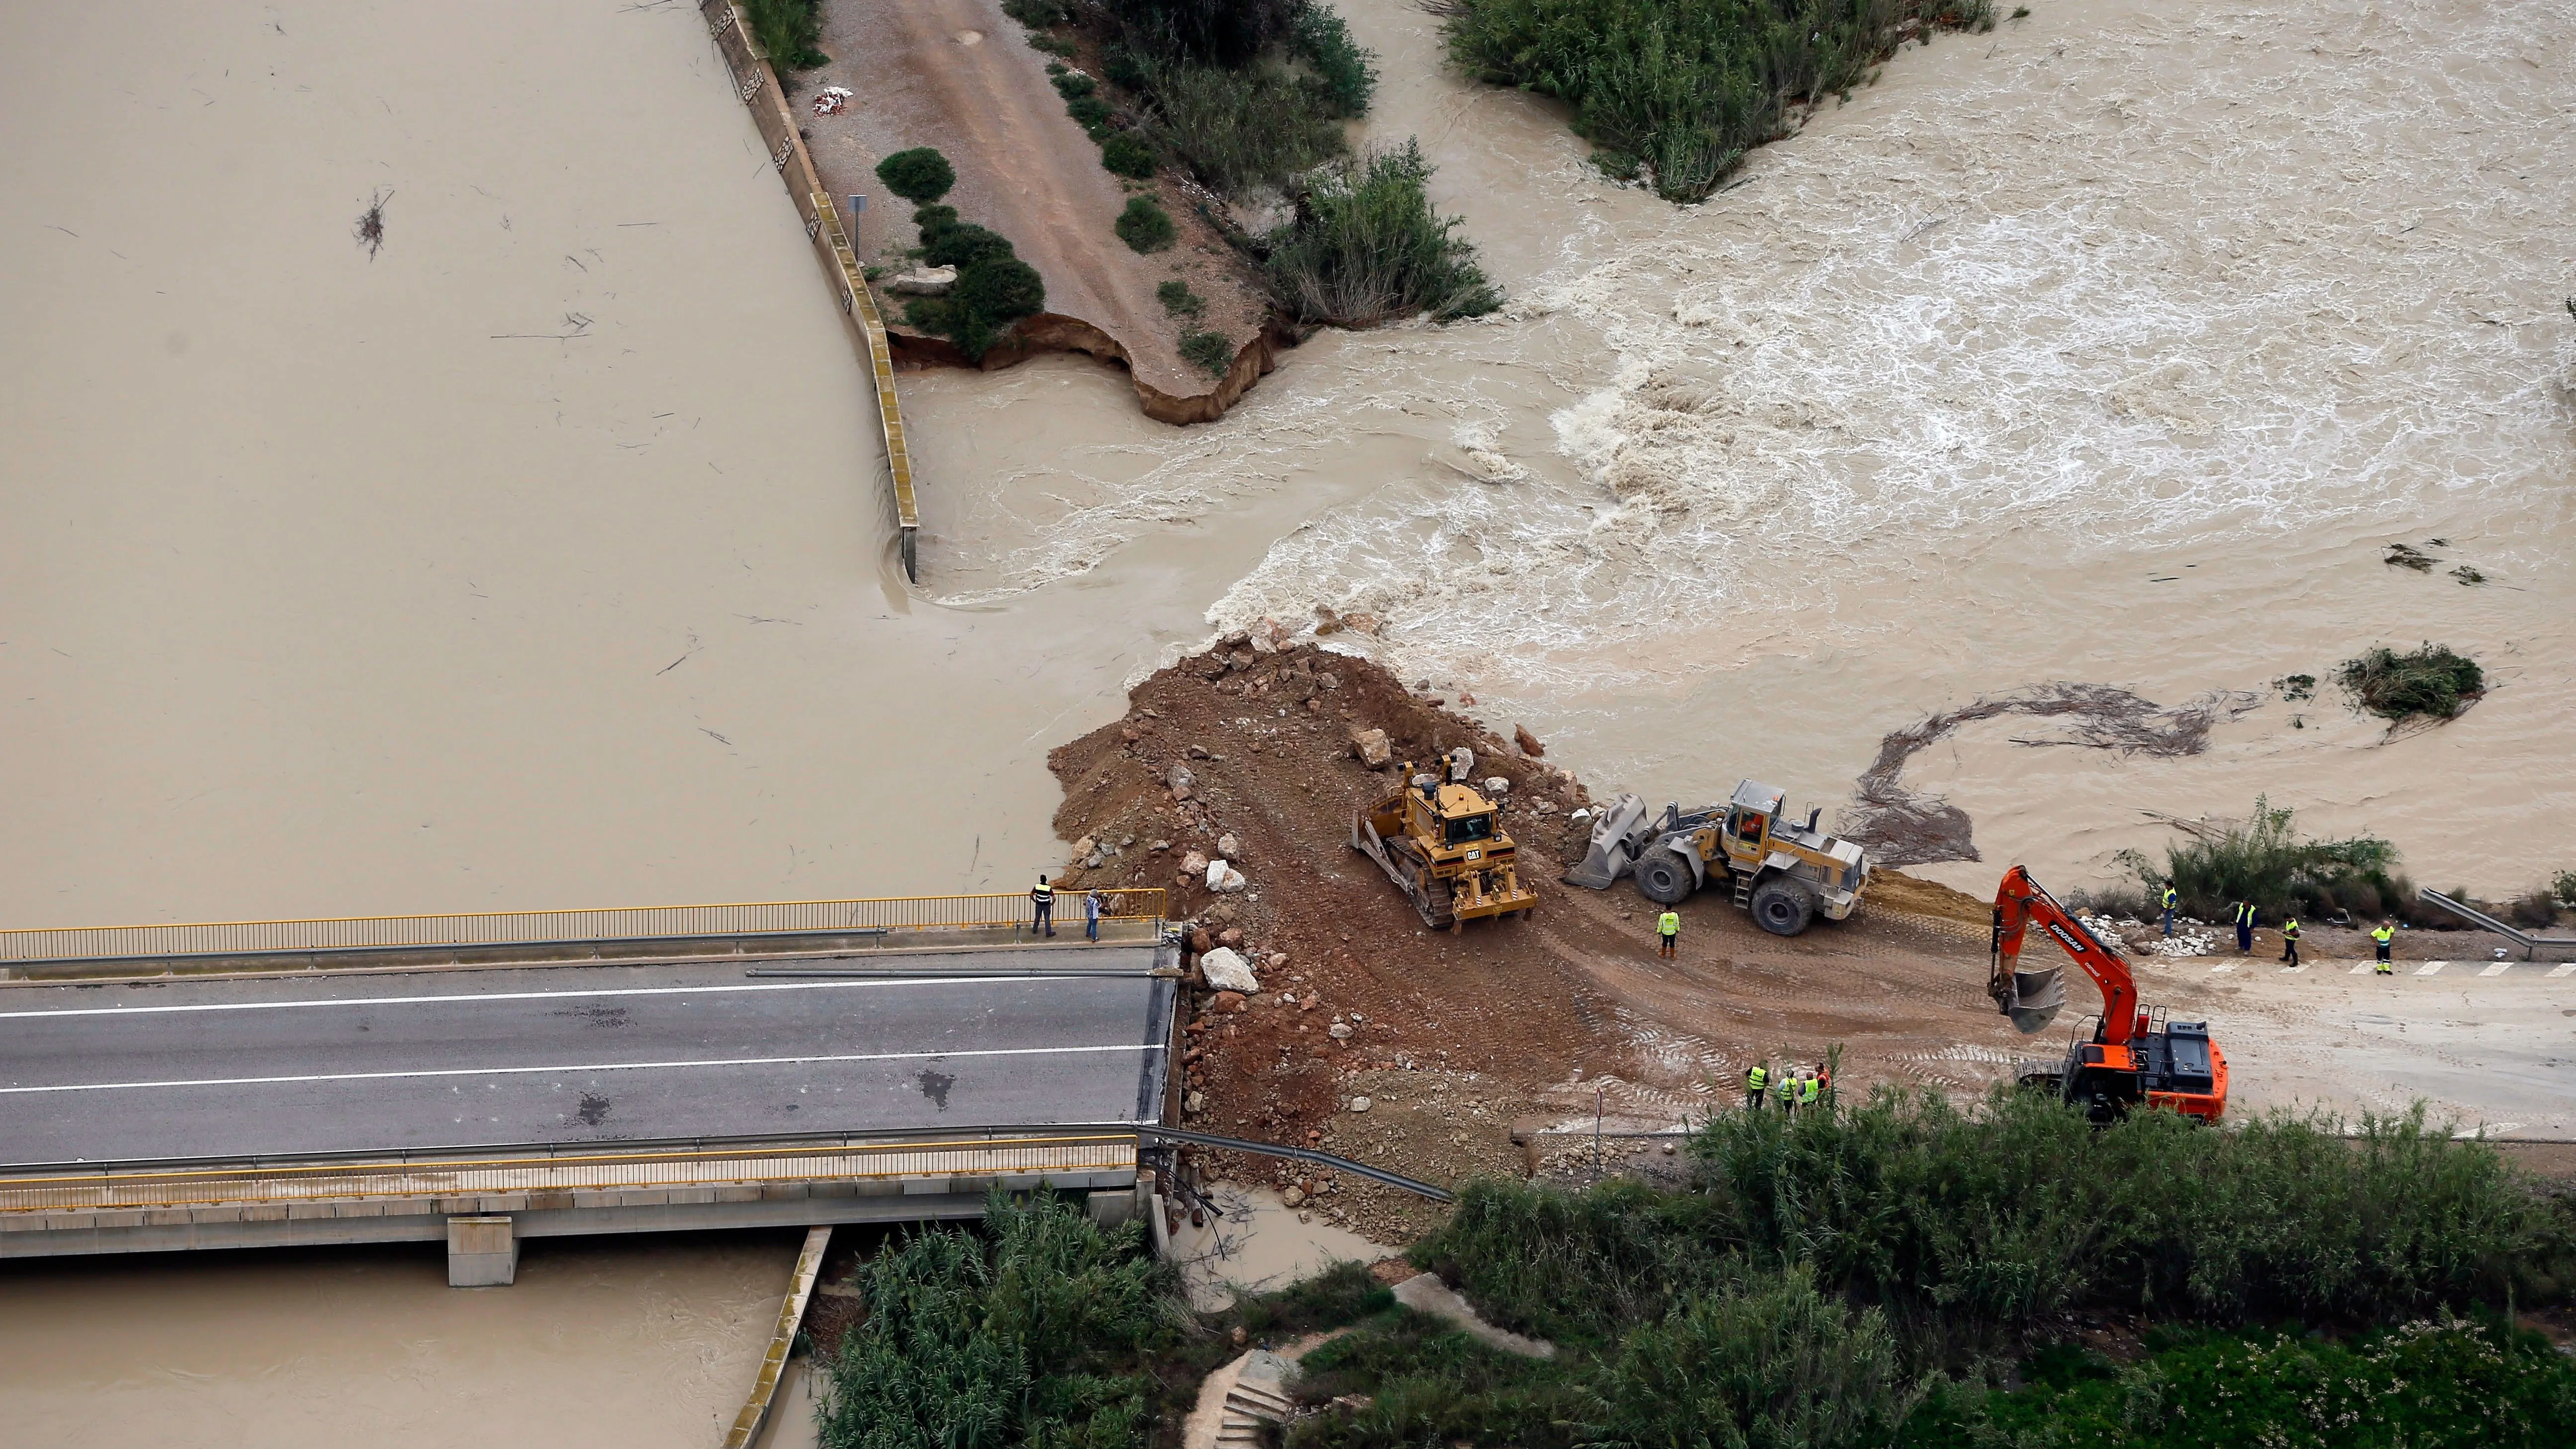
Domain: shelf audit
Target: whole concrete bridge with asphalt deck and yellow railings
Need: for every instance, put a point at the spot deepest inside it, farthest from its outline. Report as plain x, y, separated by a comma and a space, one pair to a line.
496, 1079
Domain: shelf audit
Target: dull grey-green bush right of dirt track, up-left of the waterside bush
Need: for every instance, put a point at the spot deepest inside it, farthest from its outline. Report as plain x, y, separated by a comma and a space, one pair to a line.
1240, 128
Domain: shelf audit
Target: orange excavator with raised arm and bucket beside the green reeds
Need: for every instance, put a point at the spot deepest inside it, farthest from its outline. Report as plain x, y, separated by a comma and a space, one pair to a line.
2134, 1053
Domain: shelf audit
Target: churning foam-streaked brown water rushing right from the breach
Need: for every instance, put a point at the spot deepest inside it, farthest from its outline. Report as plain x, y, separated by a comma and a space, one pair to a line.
2111, 347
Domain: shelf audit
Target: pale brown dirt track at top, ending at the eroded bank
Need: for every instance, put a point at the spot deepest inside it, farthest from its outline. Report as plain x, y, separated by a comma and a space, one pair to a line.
962, 79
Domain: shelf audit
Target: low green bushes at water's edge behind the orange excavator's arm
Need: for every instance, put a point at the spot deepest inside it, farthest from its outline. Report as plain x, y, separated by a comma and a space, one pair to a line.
2268, 862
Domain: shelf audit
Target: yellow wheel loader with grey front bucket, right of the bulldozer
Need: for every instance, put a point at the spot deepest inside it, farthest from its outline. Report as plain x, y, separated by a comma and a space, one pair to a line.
1779, 870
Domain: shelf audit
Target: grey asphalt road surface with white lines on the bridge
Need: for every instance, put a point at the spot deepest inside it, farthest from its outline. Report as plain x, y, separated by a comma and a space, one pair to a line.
568, 1056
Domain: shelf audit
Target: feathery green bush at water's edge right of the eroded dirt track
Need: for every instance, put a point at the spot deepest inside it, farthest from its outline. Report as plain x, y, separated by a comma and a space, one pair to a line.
1367, 249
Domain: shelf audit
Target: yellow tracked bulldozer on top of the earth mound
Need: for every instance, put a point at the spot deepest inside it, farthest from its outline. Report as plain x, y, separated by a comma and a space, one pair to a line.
1444, 844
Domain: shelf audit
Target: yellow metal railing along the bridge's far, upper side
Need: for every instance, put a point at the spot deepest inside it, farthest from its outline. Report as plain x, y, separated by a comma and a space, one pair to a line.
558, 927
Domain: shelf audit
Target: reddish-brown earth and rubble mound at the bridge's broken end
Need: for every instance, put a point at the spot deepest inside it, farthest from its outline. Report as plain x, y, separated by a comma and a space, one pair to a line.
1457, 1043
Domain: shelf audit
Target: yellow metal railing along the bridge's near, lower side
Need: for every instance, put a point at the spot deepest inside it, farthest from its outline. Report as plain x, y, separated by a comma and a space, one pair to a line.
563, 1174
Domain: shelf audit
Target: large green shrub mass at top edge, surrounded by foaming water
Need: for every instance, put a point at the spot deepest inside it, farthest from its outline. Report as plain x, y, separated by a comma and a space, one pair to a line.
1683, 89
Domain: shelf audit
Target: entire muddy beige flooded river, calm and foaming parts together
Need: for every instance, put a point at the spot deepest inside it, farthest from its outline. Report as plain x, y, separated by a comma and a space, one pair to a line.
537, 561
